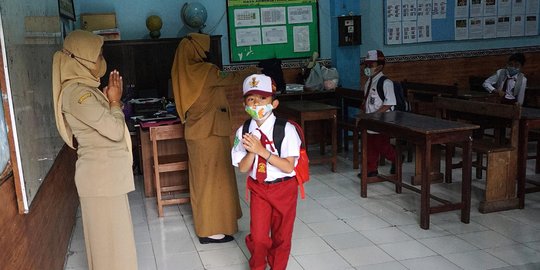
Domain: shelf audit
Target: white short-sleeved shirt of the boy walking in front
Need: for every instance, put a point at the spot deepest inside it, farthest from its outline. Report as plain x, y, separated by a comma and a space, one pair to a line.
290, 147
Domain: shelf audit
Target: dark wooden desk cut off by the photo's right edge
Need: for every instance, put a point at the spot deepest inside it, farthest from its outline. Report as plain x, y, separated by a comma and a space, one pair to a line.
530, 119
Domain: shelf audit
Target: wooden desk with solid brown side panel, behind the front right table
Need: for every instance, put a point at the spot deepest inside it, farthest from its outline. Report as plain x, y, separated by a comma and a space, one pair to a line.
501, 156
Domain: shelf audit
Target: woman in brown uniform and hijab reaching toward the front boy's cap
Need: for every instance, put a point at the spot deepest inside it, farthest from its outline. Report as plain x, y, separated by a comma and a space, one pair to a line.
202, 105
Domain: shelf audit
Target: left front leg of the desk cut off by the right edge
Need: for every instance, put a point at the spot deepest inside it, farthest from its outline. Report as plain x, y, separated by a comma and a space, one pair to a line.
522, 161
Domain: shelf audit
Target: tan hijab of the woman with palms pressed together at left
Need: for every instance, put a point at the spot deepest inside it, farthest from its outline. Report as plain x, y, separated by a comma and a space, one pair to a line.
73, 64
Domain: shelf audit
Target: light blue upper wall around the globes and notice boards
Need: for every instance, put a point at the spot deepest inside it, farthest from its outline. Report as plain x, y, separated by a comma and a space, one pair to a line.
131, 16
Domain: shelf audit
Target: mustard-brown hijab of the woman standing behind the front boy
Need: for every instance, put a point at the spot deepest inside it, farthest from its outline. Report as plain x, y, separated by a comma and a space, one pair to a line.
189, 71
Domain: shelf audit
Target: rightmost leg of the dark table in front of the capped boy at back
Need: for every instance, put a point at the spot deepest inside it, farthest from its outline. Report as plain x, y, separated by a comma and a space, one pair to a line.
466, 171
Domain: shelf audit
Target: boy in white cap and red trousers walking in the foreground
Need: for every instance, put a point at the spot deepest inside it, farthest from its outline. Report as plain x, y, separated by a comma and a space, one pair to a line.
271, 181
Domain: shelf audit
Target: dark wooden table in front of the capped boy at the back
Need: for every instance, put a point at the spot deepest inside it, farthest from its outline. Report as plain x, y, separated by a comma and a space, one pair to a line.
424, 131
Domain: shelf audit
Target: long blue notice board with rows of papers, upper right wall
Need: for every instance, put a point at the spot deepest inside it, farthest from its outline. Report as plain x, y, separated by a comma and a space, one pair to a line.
415, 21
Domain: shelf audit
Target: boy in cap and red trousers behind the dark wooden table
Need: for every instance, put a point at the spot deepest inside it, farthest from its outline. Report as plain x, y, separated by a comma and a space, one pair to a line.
378, 144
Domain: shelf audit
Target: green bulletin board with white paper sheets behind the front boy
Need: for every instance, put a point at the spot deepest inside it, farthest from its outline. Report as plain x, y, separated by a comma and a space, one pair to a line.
265, 29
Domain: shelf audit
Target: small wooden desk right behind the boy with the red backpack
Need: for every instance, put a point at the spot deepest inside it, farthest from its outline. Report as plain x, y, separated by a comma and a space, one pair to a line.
303, 111
